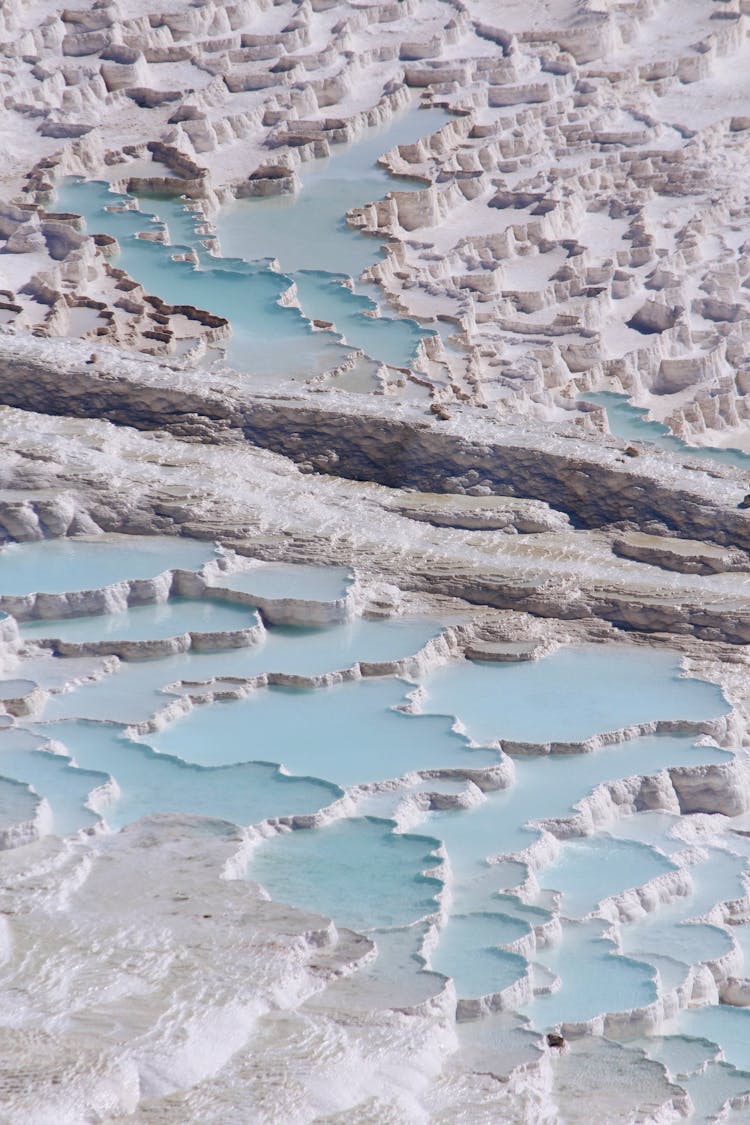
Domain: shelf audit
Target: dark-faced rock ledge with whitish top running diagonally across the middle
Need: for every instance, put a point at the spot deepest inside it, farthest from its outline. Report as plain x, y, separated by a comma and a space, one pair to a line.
358, 440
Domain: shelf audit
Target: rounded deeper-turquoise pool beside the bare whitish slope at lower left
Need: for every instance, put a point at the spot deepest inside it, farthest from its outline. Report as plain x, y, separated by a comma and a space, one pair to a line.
358, 872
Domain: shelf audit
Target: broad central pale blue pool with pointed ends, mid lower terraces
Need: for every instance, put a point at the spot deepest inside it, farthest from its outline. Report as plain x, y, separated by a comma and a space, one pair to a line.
346, 734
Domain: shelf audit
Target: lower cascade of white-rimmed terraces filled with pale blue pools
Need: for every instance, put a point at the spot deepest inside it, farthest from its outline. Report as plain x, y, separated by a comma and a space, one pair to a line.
498, 859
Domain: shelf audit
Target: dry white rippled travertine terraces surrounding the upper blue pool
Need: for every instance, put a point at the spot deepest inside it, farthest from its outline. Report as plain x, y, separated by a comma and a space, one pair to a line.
583, 220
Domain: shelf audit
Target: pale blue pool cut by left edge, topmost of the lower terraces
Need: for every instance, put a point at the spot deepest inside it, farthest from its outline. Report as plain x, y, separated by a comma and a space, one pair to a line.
57, 566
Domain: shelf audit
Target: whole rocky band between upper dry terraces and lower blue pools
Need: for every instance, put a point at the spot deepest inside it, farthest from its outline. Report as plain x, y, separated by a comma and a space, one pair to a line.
481, 470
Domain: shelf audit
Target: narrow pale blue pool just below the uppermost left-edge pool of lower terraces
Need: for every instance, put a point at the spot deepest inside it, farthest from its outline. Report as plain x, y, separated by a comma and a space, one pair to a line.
147, 623
